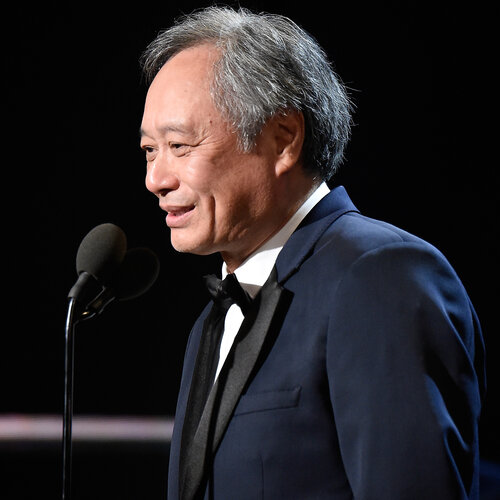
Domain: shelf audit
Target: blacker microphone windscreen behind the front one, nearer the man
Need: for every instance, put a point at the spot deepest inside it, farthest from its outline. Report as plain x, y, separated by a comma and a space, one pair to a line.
138, 271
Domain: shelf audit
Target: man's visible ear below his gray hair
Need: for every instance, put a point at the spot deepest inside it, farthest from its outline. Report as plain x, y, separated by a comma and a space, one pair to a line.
289, 133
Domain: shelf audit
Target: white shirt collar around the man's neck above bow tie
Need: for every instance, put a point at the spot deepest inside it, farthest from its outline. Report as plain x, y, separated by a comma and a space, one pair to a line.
255, 270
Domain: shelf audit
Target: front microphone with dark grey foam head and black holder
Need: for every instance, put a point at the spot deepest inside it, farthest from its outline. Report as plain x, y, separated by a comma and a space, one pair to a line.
100, 253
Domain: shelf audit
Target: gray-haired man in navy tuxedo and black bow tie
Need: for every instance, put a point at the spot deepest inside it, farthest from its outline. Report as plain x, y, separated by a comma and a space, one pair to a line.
352, 364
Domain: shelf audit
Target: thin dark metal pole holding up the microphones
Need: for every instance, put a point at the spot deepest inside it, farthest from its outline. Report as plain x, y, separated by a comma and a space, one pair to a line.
68, 398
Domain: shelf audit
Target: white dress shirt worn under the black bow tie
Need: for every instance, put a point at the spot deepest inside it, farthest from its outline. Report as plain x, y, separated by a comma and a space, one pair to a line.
255, 270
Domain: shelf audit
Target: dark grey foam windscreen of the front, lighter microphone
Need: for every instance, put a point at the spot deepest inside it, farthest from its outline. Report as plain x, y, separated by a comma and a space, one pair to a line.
101, 251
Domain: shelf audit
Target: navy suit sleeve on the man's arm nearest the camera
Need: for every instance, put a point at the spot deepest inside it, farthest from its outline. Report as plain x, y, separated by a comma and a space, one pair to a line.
405, 369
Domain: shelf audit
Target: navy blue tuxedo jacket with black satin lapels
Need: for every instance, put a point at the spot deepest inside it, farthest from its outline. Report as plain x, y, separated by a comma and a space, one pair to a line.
360, 375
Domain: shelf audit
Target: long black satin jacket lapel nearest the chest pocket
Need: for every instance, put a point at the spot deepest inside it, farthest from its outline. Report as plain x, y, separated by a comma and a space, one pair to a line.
229, 386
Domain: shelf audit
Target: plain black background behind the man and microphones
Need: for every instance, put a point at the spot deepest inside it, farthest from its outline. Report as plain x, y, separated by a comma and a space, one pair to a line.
71, 160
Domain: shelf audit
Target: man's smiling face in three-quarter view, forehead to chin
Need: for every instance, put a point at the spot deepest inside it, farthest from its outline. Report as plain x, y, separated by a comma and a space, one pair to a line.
217, 198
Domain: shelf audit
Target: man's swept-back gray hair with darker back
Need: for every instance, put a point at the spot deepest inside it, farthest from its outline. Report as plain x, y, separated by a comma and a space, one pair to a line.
268, 65
